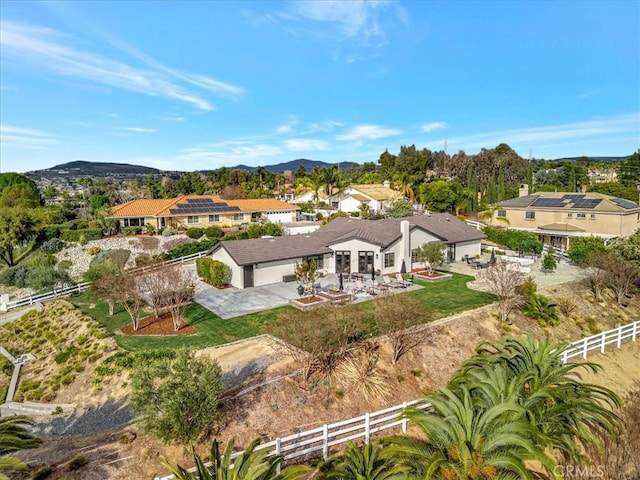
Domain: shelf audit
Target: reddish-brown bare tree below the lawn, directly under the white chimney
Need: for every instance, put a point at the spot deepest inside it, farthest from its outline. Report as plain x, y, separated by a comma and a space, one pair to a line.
394, 318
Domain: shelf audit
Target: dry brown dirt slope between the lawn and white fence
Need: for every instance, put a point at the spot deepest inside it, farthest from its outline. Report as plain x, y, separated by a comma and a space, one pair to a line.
289, 404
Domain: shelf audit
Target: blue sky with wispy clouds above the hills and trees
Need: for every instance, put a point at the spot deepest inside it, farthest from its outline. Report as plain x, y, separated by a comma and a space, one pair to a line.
194, 85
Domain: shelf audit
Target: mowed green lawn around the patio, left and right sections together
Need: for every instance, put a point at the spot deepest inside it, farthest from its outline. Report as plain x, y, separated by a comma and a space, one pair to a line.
442, 298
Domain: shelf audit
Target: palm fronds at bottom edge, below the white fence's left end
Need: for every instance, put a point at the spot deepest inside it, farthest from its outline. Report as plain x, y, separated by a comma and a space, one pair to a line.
251, 464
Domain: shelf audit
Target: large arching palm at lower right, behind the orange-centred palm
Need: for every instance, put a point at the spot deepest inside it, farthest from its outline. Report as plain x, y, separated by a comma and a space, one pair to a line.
565, 413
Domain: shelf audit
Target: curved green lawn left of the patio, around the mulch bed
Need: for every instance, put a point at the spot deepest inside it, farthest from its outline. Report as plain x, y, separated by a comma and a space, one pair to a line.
212, 330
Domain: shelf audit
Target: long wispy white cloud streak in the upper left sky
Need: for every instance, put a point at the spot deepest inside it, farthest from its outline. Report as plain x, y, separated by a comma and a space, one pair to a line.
45, 48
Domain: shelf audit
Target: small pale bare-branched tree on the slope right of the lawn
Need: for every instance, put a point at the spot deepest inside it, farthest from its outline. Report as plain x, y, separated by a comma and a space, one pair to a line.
502, 280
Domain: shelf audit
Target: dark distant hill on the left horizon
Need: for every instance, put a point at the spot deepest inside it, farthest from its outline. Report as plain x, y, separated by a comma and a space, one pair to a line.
80, 168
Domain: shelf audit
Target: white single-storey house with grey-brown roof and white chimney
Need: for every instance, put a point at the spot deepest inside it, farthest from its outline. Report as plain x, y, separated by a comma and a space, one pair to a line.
346, 245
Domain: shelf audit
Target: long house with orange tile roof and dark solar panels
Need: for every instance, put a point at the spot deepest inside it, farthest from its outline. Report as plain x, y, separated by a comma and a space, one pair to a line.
202, 211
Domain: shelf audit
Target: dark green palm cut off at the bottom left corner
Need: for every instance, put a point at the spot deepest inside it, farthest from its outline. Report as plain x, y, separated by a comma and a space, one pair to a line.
14, 436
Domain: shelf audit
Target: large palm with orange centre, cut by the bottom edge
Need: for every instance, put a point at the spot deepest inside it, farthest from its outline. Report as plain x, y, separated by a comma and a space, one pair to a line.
464, 442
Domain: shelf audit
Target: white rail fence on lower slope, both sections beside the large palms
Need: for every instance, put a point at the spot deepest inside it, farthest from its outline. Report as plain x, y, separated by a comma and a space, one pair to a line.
321, 439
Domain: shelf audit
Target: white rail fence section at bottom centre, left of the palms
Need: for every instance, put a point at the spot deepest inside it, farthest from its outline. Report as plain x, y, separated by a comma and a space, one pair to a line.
311, 443
